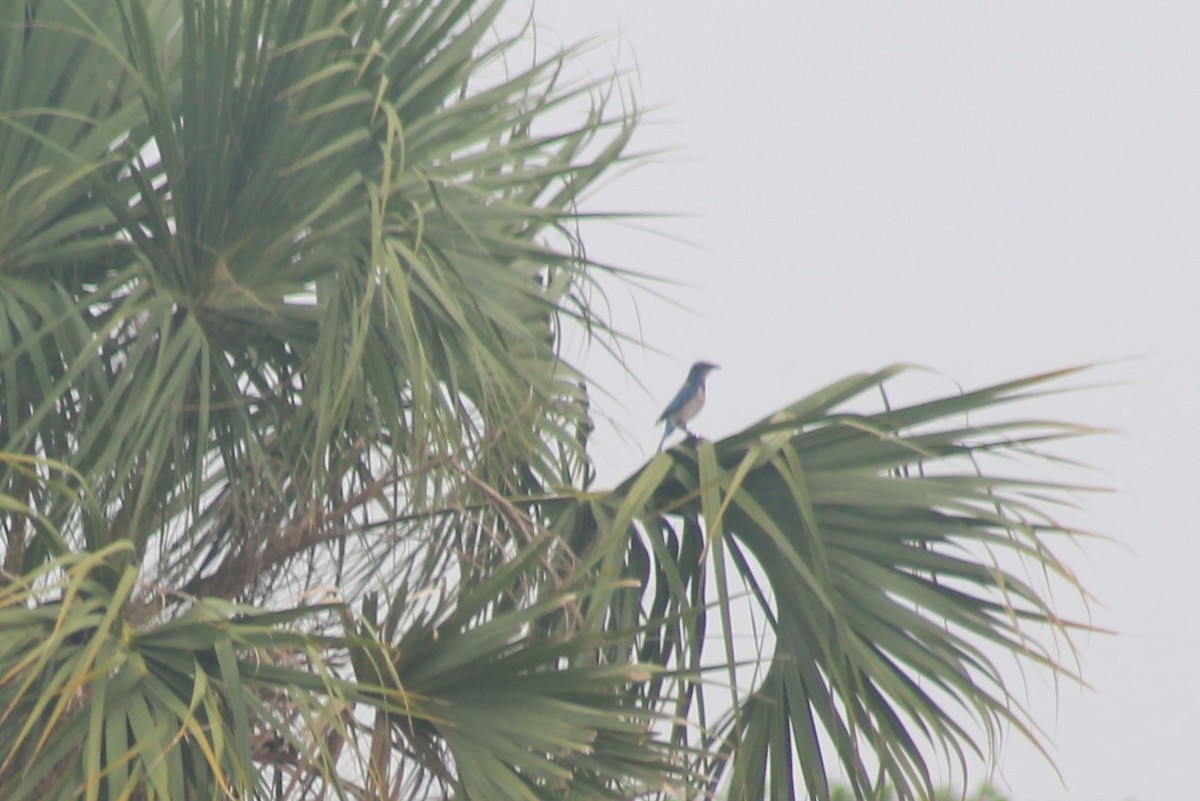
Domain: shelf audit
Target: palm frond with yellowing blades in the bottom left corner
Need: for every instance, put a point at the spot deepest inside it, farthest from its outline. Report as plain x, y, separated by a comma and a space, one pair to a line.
93, 698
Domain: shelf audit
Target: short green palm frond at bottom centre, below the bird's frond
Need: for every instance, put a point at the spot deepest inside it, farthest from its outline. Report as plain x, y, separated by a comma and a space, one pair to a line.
491, 707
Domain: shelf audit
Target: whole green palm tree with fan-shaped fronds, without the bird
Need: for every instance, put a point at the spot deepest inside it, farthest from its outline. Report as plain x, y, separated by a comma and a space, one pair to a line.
296, 484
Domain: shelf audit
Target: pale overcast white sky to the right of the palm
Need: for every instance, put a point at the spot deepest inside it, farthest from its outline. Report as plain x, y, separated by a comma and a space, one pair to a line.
987, 190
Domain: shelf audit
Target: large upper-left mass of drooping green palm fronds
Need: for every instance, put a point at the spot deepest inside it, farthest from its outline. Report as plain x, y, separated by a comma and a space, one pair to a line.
331, 254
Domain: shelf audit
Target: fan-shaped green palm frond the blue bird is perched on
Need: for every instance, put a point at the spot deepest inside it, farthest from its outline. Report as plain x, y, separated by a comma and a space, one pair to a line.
887, 565
